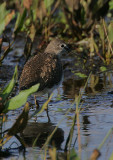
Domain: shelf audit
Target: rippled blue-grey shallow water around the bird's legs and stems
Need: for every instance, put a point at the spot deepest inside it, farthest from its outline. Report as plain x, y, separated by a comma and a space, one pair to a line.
96, 117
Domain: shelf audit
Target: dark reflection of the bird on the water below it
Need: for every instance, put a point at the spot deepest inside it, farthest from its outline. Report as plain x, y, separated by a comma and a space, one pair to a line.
42, 131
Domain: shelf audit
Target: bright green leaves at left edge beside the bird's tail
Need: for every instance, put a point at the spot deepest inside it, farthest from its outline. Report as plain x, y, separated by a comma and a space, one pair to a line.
19, 99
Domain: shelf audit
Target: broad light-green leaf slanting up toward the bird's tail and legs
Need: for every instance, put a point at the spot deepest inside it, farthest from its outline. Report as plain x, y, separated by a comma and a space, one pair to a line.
20, 99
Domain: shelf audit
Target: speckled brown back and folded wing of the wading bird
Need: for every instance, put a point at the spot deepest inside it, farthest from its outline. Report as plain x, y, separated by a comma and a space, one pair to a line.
44, 68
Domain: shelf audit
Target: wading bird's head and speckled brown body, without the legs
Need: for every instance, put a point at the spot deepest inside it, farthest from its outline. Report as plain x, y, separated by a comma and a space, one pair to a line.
44, 68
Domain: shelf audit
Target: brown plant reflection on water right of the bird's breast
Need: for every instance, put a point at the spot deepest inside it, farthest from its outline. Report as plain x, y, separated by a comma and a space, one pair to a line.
96, 84
